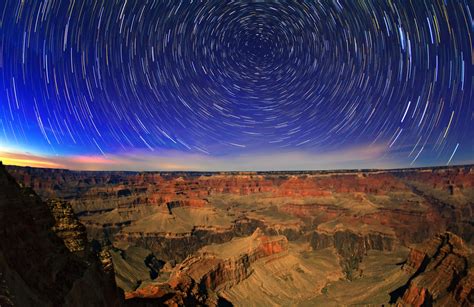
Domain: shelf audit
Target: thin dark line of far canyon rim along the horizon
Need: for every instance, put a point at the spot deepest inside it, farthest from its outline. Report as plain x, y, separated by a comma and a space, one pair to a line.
335, 170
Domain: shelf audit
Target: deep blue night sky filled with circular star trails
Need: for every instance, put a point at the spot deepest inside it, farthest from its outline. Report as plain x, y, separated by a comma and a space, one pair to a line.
236, 84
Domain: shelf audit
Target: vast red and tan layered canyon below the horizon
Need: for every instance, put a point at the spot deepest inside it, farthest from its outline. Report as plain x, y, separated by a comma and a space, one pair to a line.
366, 237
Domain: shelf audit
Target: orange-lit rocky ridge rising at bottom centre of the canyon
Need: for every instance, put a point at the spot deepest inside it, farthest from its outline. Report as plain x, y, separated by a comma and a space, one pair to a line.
214, 268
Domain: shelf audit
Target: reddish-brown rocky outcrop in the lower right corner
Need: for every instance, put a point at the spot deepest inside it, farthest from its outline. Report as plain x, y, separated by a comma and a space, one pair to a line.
441, 274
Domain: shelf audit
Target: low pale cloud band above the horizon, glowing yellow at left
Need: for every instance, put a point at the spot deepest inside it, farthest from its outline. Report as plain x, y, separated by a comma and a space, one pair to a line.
169, 160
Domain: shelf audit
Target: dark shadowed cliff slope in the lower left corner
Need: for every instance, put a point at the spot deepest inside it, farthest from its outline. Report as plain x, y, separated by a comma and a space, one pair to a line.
36, 266
